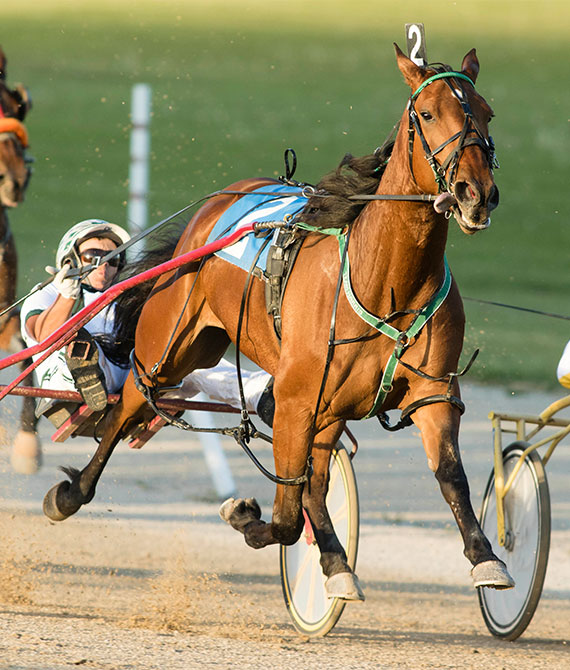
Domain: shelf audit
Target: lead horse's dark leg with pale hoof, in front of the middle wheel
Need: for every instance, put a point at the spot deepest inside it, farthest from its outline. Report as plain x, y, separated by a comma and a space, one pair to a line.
341, 582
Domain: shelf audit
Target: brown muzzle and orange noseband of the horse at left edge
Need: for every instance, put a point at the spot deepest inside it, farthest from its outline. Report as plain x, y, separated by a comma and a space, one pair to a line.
14, 169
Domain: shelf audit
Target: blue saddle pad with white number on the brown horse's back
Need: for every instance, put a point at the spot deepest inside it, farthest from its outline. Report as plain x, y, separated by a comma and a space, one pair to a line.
250, 208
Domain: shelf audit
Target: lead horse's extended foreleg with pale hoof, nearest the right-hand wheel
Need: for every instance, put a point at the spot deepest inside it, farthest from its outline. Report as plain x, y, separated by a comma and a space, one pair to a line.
439, 426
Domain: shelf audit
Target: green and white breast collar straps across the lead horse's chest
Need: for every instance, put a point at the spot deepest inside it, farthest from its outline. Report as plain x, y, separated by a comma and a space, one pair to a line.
402, 338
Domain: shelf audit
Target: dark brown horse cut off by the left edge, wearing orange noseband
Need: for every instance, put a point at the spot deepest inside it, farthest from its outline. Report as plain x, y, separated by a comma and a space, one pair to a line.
14, 177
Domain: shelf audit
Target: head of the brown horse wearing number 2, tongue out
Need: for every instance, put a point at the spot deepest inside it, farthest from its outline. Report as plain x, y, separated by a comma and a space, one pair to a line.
450, 150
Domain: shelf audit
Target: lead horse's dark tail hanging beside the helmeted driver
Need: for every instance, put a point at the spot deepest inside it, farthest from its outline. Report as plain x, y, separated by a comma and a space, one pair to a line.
118, 346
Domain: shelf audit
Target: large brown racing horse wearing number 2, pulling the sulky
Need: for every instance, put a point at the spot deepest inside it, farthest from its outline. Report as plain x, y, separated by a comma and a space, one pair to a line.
396, 251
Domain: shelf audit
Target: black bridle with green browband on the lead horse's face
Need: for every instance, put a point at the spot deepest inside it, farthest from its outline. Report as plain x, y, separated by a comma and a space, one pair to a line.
471, 133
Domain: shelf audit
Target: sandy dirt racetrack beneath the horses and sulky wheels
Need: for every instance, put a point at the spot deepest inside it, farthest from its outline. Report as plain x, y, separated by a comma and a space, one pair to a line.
148, 577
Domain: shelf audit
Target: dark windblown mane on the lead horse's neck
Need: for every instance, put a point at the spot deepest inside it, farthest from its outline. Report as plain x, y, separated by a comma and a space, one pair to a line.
353, 176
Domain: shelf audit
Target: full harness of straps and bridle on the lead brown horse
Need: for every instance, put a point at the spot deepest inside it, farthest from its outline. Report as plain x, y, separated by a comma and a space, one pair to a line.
279, 268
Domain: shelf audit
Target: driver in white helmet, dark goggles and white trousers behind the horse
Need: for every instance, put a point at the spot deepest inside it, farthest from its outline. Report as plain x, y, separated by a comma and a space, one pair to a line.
82, 365
